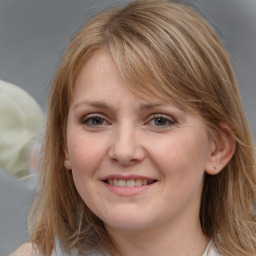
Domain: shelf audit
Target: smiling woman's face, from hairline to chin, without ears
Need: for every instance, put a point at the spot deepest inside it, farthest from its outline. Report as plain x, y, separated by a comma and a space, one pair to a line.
136, 164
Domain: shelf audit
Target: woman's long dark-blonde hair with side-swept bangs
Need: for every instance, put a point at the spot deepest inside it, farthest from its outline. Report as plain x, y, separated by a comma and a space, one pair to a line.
165, 49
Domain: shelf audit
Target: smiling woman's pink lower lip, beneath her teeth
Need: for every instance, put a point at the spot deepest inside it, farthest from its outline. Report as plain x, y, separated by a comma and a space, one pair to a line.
128, 191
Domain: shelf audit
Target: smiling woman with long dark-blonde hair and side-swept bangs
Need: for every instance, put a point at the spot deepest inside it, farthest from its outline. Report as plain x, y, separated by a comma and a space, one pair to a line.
147, 148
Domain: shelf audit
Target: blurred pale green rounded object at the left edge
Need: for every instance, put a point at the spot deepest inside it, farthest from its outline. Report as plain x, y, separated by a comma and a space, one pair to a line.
21, 122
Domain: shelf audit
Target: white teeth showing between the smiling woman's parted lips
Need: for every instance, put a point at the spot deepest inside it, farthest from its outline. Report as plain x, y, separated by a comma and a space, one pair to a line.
129, 183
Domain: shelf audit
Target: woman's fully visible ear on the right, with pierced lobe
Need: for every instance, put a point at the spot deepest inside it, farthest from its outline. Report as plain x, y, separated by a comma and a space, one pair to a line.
223, 149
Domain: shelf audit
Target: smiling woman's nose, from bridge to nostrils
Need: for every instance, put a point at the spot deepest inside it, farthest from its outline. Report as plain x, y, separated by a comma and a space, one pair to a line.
125, 147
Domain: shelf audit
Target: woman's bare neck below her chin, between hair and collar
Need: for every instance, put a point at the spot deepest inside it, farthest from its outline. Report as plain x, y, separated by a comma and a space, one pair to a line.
164, 241
